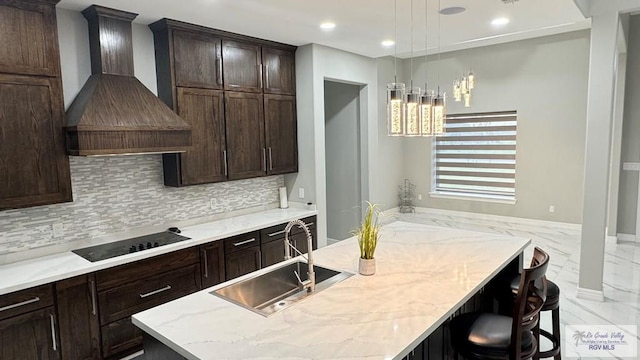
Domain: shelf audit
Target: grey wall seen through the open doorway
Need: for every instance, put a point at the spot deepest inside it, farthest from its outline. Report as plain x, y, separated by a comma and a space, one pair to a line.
342, 154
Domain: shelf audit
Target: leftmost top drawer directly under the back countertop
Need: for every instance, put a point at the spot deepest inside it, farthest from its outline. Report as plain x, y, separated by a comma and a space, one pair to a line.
24, 301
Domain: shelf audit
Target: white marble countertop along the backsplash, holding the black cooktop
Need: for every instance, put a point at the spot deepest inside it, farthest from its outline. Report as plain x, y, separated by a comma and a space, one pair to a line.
38, 271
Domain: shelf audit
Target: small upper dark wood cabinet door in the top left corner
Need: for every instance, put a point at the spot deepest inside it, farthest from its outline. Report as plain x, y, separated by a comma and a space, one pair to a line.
29, 38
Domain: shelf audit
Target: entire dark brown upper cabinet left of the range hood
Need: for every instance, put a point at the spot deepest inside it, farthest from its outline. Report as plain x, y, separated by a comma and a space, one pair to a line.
34, 167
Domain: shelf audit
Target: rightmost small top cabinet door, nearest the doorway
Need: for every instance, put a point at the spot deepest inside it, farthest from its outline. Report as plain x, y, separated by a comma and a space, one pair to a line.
279, 71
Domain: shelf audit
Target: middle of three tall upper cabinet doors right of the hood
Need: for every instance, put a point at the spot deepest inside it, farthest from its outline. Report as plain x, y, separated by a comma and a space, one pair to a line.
246, 153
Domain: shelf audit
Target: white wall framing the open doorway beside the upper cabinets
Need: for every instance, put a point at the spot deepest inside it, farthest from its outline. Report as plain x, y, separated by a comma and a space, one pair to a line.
314, 65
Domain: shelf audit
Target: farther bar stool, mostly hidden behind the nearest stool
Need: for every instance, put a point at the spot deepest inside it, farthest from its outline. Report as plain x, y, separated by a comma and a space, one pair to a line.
552, 303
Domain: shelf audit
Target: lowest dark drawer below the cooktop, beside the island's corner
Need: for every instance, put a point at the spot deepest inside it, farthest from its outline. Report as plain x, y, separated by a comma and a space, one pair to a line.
120, 336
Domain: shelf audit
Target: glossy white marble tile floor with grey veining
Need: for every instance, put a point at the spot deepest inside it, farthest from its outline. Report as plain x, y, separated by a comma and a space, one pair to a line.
621, 281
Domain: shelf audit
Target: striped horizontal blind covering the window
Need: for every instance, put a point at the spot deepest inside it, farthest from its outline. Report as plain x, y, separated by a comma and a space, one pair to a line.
477, 155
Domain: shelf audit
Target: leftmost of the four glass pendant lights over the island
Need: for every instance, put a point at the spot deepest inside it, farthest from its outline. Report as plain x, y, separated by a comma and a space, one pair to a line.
395, 91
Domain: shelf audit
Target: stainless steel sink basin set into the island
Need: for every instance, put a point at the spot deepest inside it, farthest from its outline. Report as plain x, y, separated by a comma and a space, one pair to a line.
278, 289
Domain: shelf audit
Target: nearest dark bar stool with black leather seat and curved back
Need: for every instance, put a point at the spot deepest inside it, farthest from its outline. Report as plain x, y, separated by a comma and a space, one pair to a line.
493, 336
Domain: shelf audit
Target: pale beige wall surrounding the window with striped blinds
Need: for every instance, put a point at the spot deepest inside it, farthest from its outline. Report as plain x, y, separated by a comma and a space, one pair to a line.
545, 81
